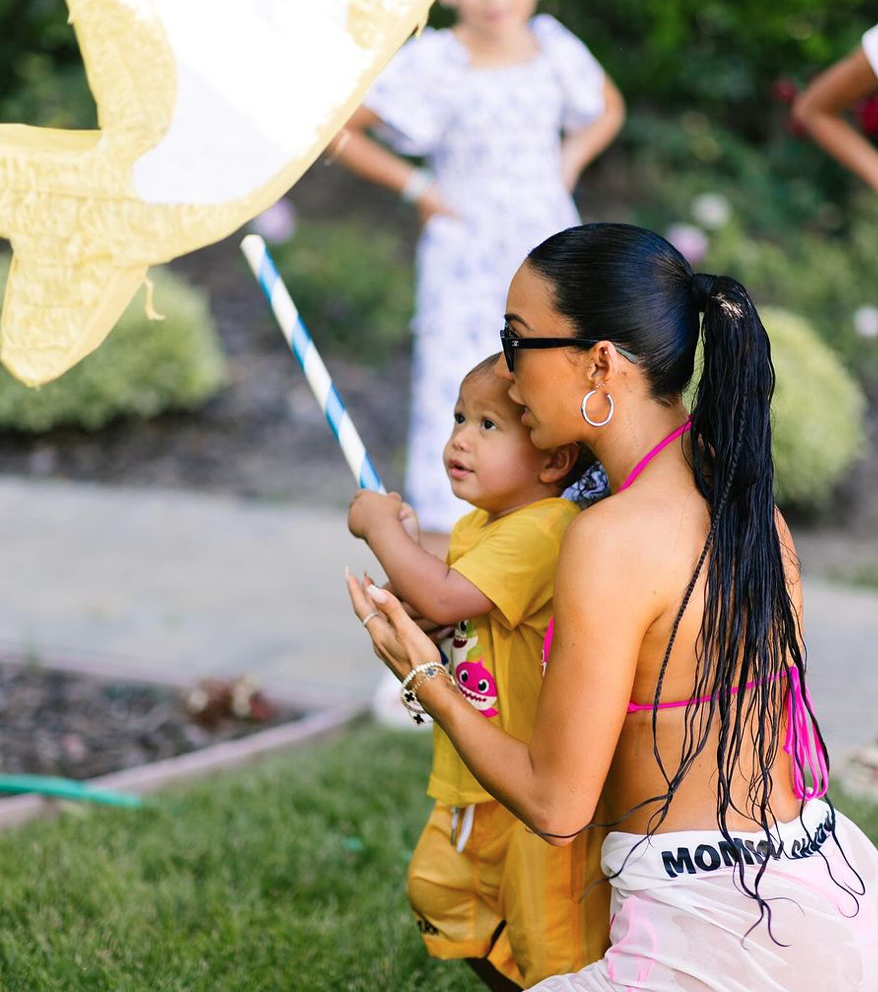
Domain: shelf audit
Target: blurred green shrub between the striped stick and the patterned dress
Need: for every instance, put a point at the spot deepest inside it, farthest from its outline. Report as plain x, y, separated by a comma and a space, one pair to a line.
353, 284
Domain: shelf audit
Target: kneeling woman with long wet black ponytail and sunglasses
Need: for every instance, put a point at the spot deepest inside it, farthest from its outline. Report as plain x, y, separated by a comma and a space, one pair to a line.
675, 690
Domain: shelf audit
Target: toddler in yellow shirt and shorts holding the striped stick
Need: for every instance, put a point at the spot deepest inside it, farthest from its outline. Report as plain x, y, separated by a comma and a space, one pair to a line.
481, 886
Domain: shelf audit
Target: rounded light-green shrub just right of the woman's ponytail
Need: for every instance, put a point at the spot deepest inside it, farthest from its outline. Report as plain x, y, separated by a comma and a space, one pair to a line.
818, 411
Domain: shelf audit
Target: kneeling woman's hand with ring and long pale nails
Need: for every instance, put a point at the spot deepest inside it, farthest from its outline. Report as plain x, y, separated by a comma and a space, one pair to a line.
396, 638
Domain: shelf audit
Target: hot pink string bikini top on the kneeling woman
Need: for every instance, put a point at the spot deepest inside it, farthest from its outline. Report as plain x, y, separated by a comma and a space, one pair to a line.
801, 740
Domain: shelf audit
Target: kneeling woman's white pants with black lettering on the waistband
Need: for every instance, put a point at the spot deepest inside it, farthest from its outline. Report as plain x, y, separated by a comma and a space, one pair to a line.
681, 924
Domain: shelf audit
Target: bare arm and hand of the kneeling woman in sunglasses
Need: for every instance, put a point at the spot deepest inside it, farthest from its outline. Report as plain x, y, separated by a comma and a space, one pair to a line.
552, 783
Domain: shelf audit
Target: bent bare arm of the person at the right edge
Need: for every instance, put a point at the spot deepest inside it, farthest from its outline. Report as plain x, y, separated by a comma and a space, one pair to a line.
819, 108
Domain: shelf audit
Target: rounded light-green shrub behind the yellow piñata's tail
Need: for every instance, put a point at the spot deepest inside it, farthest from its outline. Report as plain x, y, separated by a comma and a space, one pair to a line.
144, 368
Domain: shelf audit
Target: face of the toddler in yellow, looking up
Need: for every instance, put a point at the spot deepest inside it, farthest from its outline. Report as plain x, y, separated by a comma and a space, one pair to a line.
489, 457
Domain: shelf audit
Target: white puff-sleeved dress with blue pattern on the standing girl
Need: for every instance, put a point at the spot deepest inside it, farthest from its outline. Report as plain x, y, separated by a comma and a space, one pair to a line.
492, 138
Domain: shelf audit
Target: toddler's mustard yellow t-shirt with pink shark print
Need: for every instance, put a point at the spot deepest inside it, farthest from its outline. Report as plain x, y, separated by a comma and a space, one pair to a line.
497, 658
